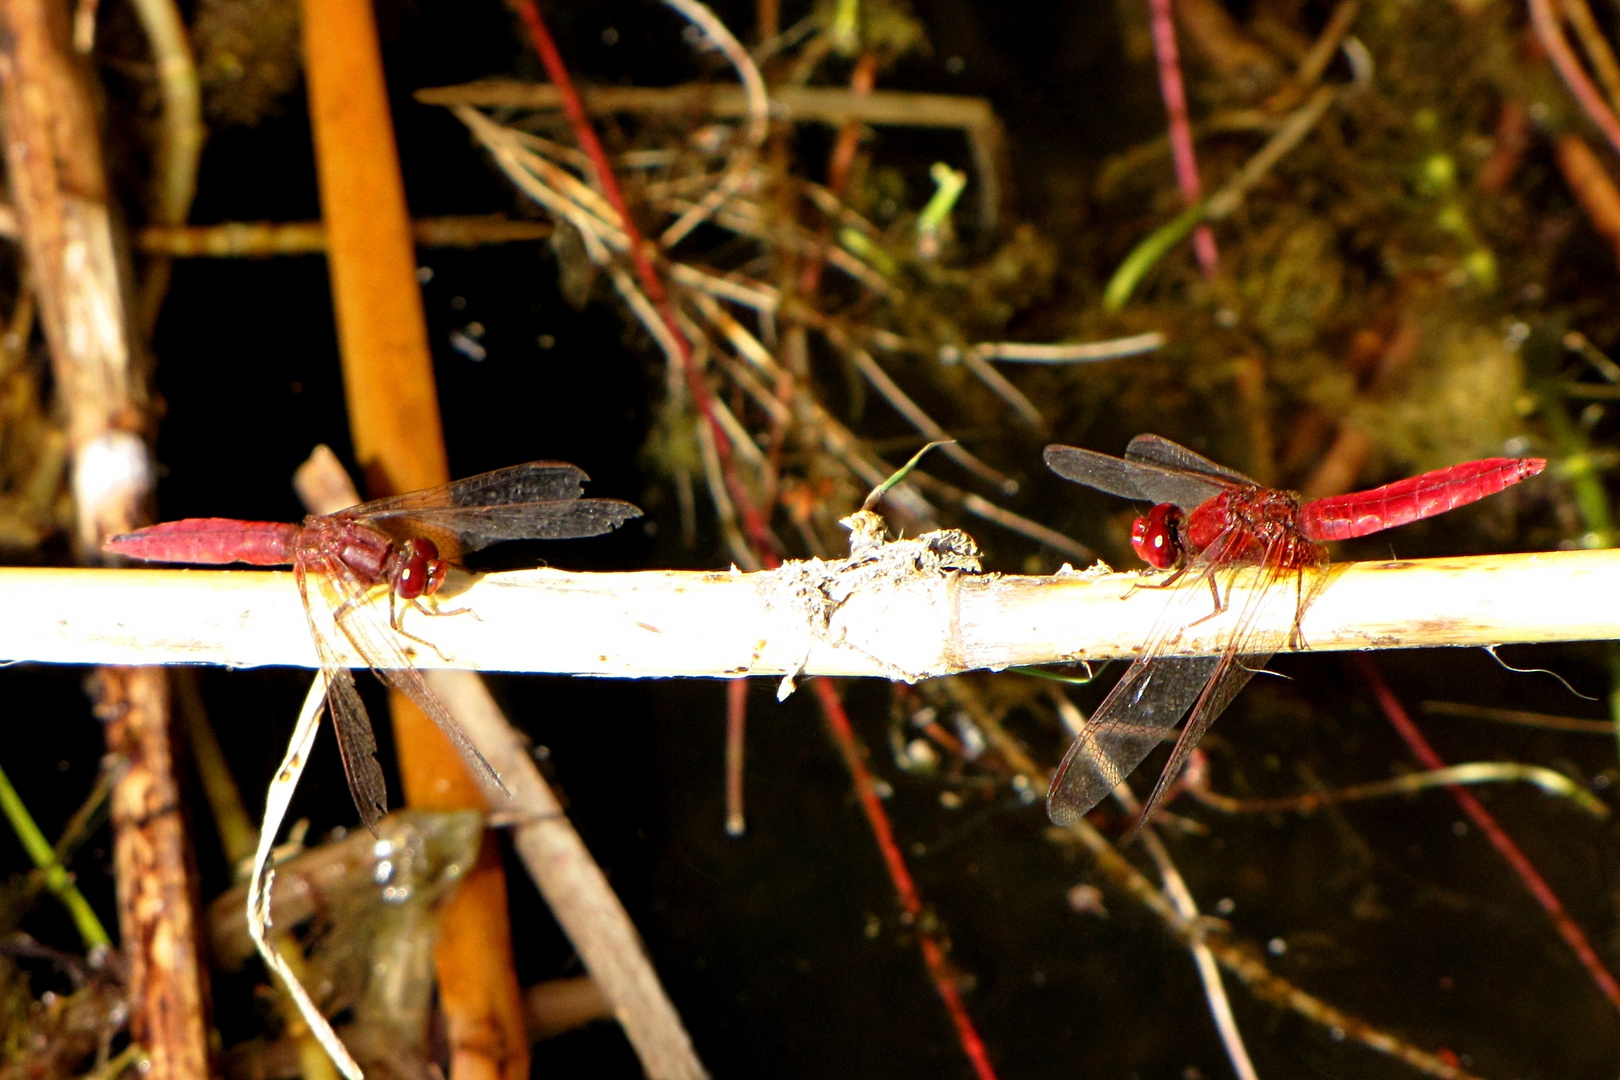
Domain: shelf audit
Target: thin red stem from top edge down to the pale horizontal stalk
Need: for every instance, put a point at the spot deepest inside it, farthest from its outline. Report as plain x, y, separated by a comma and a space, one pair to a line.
652, 284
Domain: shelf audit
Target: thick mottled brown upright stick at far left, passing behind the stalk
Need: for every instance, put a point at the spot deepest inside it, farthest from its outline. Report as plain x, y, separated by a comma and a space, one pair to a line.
54, 163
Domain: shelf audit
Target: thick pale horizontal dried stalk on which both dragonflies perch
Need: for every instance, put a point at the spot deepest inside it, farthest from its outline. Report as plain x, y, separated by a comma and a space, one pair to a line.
885, 619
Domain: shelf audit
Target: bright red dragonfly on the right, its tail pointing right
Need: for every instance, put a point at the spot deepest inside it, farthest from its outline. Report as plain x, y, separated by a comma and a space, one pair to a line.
1206, 519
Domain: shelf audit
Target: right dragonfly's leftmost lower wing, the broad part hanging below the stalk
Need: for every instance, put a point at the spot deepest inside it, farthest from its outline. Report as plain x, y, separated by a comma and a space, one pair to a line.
1146, 704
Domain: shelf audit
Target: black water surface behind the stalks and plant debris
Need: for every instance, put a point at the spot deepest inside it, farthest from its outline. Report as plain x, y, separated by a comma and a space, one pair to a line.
785, 950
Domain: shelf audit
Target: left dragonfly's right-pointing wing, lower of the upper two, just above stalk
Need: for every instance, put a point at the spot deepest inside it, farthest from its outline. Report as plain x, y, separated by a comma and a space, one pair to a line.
471, 529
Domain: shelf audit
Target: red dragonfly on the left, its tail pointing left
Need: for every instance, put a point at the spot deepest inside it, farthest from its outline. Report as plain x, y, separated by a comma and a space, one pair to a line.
404, 543
